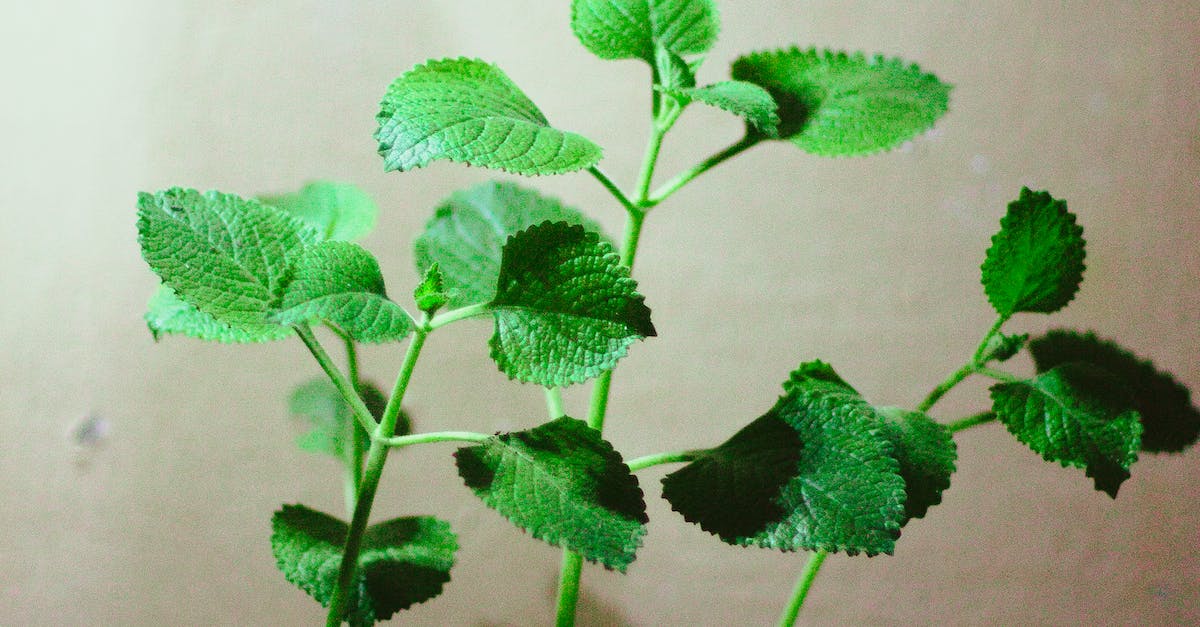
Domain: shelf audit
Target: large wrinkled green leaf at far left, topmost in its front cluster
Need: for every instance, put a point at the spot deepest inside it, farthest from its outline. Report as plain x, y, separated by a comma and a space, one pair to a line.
226, 256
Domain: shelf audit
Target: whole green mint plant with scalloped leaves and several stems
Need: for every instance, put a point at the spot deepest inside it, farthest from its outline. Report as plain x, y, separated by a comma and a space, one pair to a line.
824, 470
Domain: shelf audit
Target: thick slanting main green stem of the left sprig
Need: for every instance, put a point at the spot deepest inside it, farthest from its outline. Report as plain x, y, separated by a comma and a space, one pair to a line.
376, 459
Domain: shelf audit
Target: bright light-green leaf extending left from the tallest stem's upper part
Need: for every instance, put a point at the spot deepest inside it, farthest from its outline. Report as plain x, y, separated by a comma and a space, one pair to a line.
470, 112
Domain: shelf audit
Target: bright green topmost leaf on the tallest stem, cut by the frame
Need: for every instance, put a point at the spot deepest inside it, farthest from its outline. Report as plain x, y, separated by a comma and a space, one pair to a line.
632, 29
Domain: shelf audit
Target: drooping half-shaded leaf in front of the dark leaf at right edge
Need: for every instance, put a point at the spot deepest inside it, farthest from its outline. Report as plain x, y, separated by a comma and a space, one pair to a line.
1077, 415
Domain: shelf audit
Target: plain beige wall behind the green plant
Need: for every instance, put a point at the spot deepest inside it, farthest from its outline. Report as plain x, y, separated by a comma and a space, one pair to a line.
775, 259
